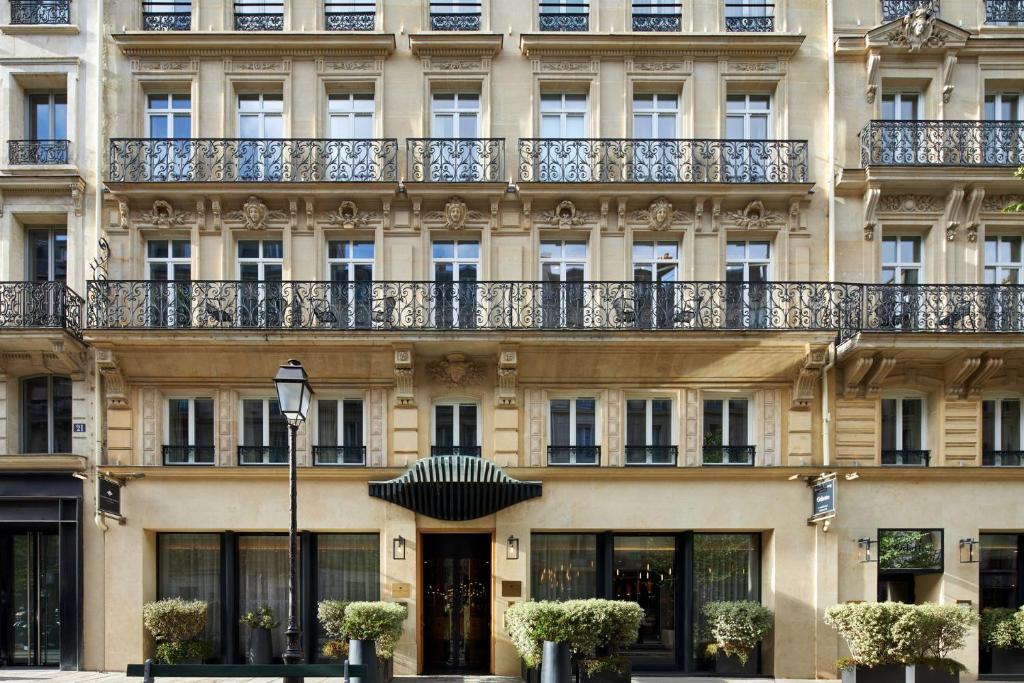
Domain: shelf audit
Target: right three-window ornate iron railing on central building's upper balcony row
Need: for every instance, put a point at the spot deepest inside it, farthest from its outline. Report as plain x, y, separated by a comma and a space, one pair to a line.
605, 160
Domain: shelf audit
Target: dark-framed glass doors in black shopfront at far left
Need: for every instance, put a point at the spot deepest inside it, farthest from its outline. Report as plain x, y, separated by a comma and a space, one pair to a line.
30, 600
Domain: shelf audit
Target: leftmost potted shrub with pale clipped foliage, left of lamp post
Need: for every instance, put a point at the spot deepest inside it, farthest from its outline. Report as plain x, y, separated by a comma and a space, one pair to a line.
177, 625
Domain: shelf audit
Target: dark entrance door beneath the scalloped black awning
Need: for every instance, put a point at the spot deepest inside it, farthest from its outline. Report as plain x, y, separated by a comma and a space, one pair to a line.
456, 604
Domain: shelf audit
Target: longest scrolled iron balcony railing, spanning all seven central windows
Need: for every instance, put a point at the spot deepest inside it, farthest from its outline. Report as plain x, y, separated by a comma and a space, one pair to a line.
470, 307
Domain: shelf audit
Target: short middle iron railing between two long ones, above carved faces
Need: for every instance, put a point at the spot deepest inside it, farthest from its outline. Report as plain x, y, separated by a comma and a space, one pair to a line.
455, 160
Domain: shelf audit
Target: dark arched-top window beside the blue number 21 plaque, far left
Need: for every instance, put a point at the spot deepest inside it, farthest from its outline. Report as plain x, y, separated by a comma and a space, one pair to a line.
47, 415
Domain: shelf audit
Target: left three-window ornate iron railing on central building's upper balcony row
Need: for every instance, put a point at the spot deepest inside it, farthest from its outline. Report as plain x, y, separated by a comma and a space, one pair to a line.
211, 160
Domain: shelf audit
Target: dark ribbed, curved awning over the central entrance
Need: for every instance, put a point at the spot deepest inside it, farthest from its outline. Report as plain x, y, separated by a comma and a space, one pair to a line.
455, 489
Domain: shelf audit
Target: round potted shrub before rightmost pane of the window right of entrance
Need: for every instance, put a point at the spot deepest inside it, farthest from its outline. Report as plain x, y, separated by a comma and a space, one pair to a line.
736, 631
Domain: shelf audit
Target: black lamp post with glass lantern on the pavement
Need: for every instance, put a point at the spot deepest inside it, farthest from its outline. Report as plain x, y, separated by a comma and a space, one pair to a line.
294, 397
